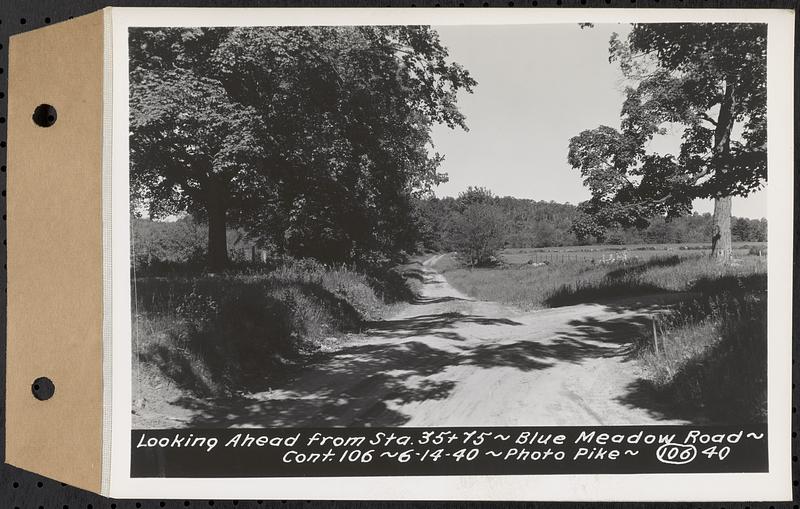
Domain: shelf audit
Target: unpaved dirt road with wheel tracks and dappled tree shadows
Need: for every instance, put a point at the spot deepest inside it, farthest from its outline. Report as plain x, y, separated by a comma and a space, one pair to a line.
449, 360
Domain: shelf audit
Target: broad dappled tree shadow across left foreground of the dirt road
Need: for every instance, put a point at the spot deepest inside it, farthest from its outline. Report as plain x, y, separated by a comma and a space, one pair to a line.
398, 376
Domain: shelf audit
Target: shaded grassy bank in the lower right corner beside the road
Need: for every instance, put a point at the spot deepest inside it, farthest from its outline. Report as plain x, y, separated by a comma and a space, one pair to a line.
708, 356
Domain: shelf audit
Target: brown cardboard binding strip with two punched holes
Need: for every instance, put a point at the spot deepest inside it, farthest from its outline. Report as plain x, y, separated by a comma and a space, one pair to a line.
55, 252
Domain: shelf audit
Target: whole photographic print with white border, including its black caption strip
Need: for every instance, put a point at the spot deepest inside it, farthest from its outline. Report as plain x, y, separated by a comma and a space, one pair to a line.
466, 257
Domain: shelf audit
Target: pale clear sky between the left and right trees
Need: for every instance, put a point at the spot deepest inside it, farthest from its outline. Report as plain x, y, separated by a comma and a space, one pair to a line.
538, 85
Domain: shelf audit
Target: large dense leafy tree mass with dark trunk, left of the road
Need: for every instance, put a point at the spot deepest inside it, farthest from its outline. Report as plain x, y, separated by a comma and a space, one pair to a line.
314, 138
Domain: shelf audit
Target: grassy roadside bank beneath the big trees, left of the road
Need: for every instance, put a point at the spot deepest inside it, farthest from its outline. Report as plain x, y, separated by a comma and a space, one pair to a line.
215, 335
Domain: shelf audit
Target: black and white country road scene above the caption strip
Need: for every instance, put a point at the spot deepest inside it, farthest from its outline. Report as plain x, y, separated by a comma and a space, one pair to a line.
525, 225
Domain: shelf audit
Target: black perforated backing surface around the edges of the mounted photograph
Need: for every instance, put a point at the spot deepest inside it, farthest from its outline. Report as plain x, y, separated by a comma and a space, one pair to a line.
22, 490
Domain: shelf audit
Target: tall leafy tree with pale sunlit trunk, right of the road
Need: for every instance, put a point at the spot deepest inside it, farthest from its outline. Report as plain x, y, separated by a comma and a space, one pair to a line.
709, 81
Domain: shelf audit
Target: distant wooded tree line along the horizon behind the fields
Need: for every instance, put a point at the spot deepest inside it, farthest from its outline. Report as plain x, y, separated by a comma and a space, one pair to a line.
478, 229
